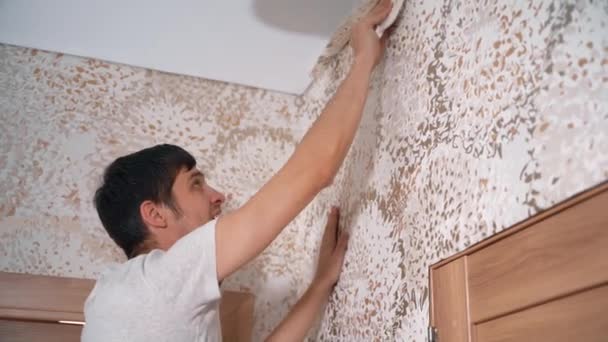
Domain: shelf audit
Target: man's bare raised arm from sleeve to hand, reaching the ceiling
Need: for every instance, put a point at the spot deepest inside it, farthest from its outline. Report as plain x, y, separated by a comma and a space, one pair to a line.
244, 233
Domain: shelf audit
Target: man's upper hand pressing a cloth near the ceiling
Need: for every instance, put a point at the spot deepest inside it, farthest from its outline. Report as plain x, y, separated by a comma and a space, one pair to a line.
367, 47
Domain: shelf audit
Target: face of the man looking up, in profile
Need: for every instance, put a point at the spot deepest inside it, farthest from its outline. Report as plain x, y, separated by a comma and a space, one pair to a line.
197, 202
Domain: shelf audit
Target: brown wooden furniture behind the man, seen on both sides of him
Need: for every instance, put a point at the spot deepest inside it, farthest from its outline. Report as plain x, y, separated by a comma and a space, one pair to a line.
50, 309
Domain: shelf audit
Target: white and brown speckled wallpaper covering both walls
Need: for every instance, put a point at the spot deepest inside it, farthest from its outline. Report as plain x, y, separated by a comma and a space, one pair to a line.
480, 116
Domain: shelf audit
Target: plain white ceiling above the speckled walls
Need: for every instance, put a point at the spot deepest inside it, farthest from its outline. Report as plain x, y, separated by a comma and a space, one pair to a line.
270, 44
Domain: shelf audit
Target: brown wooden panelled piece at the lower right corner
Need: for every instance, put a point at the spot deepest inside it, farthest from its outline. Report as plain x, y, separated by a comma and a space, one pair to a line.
545, 279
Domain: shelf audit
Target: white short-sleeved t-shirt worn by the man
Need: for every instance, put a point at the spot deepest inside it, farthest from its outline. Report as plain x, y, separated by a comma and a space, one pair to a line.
160, 296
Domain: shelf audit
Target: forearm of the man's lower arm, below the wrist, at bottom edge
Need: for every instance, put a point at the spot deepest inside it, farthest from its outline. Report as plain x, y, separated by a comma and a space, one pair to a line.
302, 316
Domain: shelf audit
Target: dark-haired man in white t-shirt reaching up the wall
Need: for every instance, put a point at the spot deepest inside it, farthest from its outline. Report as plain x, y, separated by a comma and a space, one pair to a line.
156, 205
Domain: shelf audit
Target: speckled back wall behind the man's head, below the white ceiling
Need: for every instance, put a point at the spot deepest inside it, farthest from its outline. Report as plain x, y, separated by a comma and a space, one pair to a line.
64, 119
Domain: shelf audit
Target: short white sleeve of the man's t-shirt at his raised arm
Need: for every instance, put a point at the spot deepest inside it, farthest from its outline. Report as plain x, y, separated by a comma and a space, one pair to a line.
187, 273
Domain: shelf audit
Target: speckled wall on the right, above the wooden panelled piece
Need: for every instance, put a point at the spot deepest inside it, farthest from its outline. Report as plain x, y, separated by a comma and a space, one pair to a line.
482, 115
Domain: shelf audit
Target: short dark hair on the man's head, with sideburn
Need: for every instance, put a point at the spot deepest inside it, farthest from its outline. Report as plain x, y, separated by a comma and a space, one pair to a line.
130, 180
